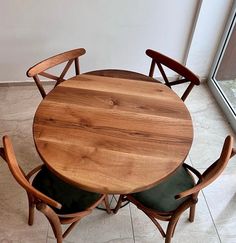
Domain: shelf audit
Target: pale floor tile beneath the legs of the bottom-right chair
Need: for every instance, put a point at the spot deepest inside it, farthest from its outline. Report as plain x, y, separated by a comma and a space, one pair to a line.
201, 230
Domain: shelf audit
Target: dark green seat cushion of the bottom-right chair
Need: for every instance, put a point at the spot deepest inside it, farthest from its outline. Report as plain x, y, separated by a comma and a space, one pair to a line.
162, 196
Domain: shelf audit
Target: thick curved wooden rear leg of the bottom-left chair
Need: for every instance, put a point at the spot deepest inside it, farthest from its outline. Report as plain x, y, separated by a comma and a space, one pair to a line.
53, 220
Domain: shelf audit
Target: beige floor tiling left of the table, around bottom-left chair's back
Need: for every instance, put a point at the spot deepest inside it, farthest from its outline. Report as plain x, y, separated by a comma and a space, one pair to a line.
16, 117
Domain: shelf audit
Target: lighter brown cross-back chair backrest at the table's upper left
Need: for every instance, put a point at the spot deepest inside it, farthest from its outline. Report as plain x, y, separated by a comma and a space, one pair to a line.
40, 68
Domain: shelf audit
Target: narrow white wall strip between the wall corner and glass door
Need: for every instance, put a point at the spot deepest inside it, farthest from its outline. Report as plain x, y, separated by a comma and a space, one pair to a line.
208, 32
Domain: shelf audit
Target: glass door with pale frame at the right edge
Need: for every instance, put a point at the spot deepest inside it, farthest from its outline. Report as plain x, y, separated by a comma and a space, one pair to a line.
222, 79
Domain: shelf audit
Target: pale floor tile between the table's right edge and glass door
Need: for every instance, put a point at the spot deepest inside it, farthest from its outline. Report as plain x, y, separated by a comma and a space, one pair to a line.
210, 128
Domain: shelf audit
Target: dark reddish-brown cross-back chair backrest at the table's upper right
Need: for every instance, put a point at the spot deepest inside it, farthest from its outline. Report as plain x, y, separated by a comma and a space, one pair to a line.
185, 74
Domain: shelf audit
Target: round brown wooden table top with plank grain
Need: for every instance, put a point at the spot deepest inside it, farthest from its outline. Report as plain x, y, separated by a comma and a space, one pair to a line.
112, 135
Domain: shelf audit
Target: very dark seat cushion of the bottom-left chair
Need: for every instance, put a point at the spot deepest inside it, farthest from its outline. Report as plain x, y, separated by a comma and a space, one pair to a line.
73, 199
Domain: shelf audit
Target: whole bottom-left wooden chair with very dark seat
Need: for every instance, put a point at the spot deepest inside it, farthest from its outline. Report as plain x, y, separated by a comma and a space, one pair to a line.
60, 202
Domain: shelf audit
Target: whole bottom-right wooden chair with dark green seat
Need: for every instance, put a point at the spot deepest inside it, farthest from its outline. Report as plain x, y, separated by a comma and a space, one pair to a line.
169, 199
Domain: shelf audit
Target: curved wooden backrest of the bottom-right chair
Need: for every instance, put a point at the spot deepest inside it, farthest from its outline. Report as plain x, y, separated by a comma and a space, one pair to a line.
212, 172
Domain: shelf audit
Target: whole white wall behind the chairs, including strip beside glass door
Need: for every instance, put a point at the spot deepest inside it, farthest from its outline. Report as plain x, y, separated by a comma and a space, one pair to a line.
114, 33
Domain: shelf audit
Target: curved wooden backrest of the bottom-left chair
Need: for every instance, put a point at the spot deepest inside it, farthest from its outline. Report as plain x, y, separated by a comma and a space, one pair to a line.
7, 153
